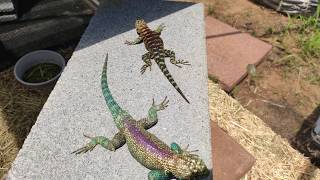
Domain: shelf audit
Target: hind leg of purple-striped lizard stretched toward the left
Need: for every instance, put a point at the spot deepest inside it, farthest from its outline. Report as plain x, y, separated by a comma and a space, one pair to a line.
117, 141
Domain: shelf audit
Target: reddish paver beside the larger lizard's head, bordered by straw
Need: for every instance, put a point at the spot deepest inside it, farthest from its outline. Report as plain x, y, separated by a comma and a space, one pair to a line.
230, 160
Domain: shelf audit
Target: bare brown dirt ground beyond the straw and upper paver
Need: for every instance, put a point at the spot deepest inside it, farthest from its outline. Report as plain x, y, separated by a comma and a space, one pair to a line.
287, 93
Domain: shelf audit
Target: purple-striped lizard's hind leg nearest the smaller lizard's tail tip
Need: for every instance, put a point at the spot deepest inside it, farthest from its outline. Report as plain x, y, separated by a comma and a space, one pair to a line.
152, 118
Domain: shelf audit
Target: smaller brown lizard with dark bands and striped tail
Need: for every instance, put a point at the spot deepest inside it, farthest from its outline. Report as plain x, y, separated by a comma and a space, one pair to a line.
156, 51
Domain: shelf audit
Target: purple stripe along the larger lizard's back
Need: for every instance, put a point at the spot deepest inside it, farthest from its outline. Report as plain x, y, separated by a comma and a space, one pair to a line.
146, 142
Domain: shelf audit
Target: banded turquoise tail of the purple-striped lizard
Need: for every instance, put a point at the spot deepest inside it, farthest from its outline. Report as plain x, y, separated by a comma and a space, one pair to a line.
113, 106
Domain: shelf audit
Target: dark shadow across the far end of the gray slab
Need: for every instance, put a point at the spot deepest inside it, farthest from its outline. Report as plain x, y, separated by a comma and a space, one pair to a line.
114, 17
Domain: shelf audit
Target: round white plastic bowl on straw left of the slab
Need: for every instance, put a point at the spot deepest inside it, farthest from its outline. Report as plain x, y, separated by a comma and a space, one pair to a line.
34, 58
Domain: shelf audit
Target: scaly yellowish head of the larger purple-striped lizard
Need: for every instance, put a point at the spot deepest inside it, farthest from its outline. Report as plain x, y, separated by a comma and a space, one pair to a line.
190, 166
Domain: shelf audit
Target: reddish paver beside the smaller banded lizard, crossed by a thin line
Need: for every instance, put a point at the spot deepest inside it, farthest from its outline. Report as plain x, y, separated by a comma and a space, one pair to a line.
230, 51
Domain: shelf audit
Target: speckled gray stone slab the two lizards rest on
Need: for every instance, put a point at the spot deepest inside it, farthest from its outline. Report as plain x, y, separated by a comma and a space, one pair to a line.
76, 104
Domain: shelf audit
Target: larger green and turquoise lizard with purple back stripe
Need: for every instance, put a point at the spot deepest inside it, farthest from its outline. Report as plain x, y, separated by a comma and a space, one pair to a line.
164, 162
